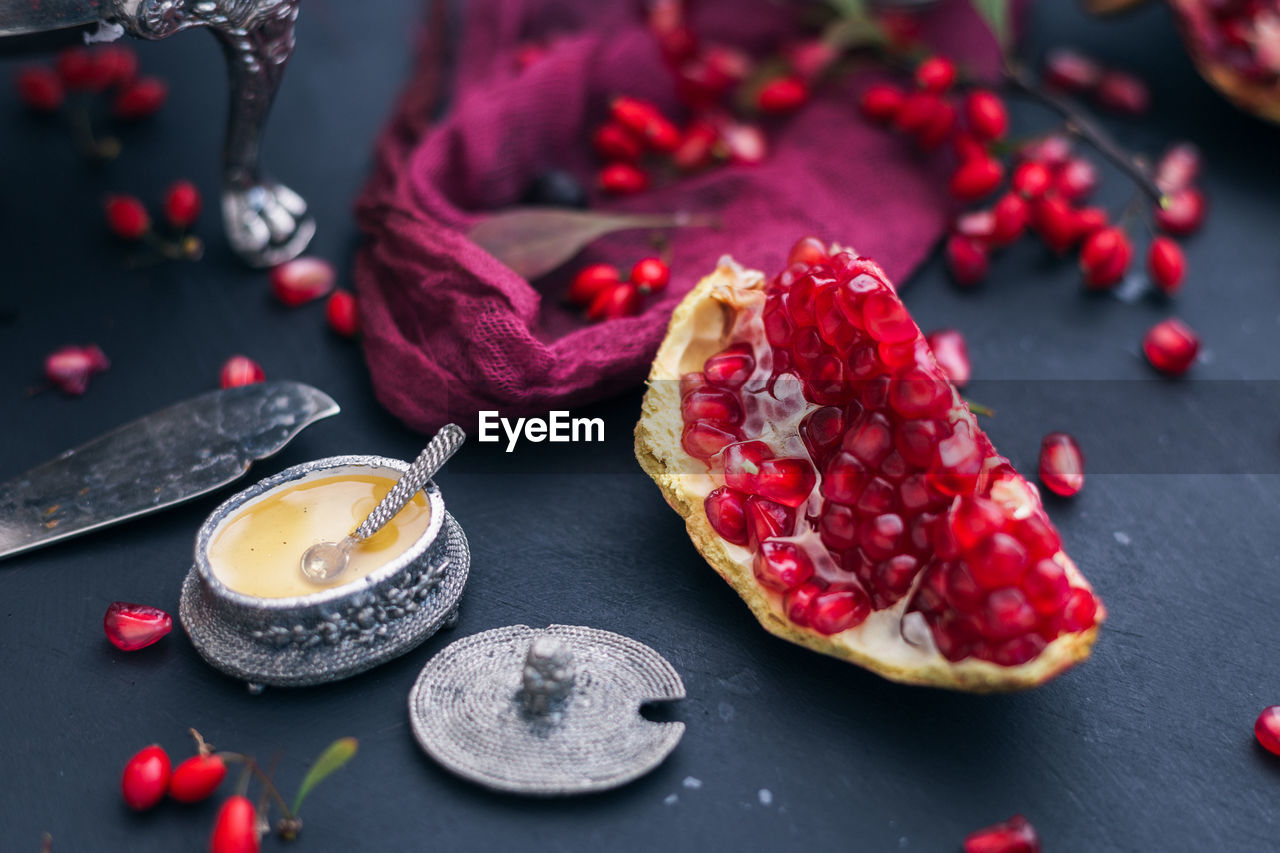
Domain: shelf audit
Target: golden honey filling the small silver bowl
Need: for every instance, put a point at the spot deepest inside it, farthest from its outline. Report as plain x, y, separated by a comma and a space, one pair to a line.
258, 550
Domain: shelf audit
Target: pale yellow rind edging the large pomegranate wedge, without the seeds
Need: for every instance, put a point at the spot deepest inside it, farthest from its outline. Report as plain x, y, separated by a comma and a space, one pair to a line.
701, 327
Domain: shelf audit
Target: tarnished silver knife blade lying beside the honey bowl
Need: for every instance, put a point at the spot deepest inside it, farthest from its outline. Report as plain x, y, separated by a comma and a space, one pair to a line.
157, 462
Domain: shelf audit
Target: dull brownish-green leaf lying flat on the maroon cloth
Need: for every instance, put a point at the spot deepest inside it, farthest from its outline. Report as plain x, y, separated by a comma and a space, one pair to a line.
534, 241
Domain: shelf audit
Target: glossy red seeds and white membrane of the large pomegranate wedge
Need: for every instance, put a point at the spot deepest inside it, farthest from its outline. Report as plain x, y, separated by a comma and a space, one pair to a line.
858, 481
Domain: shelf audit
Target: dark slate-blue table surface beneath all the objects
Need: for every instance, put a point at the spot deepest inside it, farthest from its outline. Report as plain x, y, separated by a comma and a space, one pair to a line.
1146, 747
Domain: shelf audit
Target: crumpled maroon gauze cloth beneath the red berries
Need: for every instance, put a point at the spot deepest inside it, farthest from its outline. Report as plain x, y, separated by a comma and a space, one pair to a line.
449, 330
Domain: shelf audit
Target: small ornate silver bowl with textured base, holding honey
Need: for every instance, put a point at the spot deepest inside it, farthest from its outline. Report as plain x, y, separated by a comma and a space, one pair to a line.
333, 633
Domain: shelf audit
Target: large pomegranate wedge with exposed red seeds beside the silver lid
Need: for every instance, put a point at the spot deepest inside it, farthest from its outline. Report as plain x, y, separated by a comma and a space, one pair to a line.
829, 471
